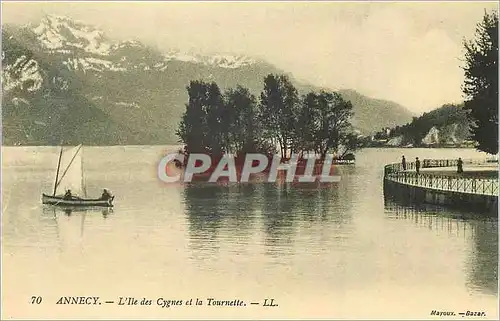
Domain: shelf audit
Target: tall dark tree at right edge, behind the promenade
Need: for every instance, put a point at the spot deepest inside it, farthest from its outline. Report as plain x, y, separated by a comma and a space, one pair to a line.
481, 83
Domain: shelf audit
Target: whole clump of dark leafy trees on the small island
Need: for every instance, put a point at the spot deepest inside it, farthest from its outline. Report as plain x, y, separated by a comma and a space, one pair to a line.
235, 122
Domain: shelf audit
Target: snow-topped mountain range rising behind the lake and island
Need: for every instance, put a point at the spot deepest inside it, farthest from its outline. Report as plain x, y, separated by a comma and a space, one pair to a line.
66, 81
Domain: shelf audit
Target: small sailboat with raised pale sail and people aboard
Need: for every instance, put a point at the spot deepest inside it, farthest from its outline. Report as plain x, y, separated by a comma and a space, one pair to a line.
69, 176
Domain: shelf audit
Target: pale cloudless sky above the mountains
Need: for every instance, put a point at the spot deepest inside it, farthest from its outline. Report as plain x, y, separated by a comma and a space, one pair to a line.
407, 52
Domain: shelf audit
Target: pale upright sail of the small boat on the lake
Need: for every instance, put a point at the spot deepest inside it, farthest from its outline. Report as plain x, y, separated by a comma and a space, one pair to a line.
71, 172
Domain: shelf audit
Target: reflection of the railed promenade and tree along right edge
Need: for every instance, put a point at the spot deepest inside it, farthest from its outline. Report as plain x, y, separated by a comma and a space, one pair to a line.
481, 232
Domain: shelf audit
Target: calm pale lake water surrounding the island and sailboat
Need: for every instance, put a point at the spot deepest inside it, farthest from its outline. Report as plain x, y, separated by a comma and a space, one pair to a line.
338, 251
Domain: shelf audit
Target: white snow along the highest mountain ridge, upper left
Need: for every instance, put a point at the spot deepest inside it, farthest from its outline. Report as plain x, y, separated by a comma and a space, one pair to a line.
63, 35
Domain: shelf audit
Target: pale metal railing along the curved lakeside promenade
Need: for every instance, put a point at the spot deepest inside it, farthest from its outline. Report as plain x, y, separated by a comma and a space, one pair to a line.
471, 185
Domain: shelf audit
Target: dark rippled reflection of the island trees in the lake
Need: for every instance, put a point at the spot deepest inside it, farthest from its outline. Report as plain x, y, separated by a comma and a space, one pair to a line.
233, 212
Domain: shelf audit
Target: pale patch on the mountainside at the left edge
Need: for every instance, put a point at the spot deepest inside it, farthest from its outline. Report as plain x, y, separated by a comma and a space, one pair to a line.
23, 74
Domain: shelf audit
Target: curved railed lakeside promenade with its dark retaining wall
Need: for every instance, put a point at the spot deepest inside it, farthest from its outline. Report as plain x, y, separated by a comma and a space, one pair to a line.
476, 189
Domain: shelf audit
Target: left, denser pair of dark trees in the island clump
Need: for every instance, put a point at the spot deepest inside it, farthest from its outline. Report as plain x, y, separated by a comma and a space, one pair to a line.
215, 123
